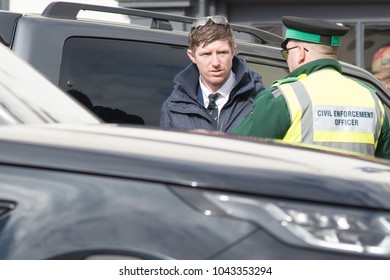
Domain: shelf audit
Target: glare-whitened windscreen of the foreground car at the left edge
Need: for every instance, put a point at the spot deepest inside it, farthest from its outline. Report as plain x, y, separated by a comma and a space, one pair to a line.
26, 97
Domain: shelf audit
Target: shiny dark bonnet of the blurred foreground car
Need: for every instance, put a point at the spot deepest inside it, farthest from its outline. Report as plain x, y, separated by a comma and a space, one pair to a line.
202, 160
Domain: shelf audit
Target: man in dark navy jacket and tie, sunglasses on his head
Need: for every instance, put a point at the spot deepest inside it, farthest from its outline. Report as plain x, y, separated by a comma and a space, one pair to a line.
216, 91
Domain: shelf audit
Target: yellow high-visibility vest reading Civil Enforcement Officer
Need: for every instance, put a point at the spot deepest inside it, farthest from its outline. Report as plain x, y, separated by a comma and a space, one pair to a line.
331, 110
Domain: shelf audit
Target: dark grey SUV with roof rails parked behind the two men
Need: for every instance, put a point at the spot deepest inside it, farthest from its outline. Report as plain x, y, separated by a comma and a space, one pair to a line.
130, 66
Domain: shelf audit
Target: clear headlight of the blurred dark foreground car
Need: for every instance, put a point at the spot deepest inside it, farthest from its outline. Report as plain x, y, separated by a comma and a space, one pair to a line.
348, 230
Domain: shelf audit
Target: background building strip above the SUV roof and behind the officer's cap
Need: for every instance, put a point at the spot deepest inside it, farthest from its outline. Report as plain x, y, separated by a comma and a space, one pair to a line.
368, 19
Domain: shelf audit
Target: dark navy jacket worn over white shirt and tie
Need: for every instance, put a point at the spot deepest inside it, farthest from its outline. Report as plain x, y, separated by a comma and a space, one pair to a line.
182, 109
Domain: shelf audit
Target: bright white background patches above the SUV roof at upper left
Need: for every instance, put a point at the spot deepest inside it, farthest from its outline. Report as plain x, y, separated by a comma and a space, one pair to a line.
37, 6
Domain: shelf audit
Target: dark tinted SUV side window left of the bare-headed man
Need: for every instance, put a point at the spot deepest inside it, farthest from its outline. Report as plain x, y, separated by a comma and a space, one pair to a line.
127, 77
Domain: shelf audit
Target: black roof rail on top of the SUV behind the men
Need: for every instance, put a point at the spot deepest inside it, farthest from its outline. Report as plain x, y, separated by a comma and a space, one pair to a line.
68, 10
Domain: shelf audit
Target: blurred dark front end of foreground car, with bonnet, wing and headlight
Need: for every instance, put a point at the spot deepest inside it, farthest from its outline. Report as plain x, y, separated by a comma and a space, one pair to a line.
106, 192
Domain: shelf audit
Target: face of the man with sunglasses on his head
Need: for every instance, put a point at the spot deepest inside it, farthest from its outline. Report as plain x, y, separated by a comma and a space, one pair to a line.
214, 62
